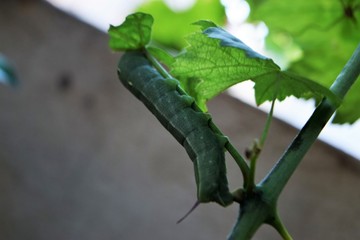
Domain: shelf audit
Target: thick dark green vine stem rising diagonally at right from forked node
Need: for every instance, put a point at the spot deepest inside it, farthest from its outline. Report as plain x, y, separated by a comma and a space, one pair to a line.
260, 206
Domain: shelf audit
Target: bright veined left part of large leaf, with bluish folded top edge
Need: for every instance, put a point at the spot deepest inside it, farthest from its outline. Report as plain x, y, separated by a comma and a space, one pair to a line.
214, 61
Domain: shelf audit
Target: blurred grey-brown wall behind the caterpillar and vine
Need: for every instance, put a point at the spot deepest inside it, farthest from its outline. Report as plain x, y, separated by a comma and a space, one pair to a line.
81, 158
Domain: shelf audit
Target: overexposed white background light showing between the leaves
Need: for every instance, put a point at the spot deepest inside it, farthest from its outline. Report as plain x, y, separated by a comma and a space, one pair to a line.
293, 111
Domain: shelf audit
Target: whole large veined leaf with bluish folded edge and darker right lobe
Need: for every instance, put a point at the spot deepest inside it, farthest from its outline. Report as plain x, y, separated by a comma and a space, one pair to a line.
216, 60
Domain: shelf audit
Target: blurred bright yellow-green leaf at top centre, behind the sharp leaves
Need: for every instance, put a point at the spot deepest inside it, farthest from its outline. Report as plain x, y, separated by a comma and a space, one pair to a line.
172, 25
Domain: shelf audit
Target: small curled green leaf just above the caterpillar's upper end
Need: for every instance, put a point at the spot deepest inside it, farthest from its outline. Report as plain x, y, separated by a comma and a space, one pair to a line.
133, 34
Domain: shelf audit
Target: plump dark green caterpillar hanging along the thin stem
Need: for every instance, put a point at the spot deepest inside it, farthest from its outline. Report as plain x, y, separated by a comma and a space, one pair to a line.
190, 127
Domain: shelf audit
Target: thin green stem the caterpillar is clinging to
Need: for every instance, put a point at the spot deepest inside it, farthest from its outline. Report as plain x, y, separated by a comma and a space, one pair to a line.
240, 161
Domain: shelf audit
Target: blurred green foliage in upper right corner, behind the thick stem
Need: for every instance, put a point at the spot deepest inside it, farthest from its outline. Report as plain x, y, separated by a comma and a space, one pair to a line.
327, 32
